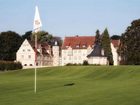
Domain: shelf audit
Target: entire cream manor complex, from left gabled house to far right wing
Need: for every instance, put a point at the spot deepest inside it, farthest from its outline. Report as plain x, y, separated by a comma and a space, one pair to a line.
74, 50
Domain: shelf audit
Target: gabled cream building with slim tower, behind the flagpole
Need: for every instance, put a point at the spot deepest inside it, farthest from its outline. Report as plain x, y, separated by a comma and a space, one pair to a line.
45, 56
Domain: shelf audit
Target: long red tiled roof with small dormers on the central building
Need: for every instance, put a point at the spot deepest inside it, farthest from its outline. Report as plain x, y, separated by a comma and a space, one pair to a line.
78, 42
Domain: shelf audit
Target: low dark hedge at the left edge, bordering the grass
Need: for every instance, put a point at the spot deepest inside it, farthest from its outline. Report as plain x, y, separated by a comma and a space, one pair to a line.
9, 65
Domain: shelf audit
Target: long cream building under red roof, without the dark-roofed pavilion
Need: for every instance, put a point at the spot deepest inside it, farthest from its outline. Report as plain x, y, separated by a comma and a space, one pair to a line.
75, 49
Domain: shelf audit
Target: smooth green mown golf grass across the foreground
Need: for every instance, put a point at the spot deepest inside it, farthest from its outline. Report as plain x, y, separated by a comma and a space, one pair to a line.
79, 85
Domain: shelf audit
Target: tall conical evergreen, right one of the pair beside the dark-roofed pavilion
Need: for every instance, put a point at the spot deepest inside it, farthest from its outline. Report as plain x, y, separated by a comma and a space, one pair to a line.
105, 42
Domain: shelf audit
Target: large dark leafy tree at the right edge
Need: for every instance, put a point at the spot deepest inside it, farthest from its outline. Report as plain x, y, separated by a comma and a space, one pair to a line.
129, 49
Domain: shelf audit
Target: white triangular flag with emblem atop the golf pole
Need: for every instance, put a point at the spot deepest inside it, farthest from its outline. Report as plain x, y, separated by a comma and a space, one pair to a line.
37, 21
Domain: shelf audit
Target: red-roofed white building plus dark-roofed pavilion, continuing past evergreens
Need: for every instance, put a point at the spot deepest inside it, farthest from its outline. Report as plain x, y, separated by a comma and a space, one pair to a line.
76, 49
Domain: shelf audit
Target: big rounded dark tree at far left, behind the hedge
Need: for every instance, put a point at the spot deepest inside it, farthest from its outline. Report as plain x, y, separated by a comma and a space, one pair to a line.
9, 44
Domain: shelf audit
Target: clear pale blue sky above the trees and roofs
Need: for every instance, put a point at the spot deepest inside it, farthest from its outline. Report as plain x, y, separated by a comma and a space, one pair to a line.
69, 17
